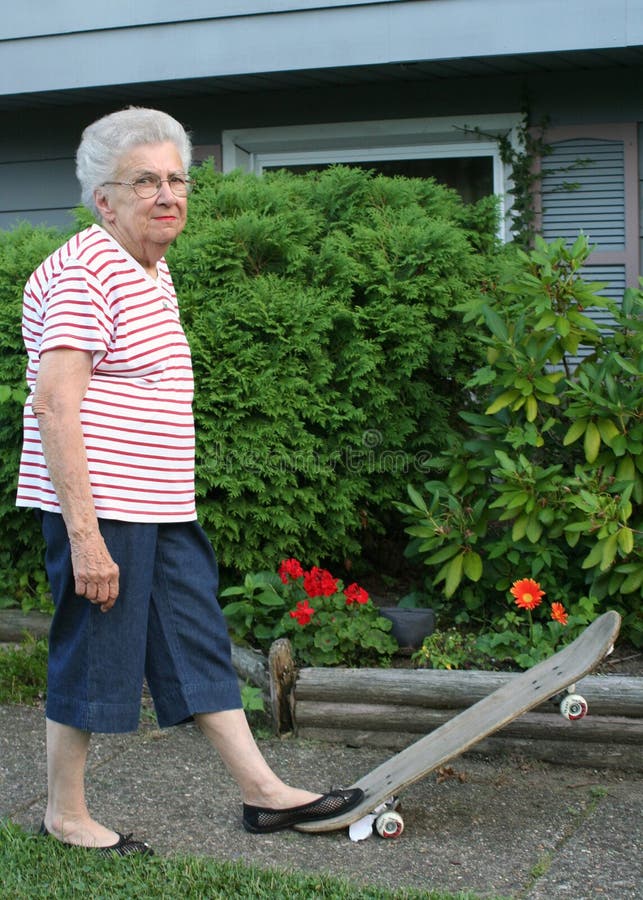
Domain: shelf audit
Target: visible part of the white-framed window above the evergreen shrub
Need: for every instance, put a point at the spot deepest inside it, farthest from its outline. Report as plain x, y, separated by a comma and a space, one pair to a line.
460, 152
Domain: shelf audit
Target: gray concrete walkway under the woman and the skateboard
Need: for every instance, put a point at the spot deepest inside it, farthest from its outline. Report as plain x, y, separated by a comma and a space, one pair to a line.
512, 828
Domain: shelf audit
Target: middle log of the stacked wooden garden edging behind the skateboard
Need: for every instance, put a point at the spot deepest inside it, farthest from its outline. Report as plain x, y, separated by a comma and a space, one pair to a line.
418, 721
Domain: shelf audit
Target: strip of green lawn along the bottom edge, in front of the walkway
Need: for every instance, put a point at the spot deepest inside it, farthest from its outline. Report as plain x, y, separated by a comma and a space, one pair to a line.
33, 867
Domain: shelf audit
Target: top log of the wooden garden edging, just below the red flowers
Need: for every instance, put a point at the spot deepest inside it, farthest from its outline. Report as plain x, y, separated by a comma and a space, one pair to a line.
447, 689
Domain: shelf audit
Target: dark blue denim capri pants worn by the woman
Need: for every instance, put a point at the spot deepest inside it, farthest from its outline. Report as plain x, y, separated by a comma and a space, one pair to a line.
166, 626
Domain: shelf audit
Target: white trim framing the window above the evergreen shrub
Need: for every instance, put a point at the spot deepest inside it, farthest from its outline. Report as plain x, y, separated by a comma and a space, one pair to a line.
254, 149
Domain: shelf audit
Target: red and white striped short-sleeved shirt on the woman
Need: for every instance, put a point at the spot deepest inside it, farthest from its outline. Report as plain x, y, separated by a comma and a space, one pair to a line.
137, 417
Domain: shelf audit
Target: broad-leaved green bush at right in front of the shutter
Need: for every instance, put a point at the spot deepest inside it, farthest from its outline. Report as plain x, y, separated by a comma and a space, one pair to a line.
545, 480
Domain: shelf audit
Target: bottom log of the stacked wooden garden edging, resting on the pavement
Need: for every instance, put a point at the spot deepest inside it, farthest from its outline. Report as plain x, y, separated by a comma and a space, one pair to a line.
609, 755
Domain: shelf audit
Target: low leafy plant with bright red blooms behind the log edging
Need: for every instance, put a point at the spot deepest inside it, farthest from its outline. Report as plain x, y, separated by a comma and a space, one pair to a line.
343, 627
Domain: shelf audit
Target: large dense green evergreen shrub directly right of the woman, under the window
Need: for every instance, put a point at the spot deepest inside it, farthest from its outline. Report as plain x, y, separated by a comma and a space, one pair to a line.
328, 356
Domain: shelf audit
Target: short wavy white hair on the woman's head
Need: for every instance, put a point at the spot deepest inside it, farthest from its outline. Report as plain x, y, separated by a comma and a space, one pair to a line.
106, 141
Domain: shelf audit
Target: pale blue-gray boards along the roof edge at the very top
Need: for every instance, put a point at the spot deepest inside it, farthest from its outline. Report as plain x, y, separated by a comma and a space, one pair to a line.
78, 46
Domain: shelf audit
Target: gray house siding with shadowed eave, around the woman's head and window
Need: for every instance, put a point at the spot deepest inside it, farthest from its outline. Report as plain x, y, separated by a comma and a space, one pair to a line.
79, 61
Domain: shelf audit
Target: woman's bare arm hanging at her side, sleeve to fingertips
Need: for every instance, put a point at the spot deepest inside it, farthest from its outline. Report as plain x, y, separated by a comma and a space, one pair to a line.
63, 378
